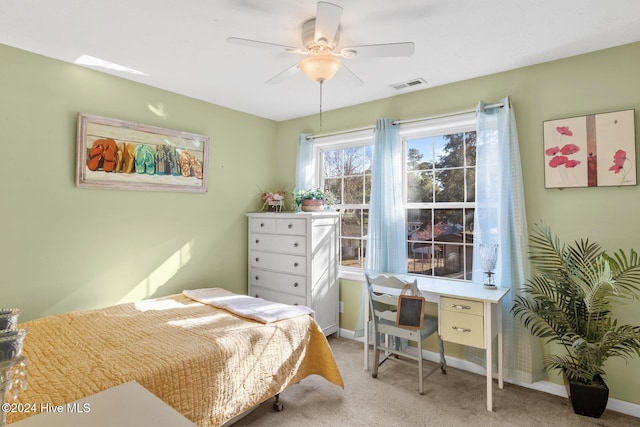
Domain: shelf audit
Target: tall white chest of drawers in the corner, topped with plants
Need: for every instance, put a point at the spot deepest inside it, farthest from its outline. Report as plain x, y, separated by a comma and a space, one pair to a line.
293, 259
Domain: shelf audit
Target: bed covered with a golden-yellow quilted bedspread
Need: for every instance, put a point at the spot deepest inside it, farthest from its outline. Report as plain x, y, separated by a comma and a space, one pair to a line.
209, 364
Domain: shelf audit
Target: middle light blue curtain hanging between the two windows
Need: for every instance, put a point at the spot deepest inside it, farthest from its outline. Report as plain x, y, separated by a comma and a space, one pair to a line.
386, 238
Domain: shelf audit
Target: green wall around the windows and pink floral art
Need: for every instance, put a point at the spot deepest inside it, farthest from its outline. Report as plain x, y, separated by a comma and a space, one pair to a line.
598, 82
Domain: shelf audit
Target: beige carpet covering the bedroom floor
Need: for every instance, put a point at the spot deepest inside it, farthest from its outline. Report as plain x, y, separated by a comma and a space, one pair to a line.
455, 399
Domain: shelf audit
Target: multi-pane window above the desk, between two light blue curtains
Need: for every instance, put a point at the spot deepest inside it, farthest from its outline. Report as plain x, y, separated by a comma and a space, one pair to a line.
440, 194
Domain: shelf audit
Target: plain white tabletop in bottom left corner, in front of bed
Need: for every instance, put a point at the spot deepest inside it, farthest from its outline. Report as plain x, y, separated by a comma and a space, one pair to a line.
126, 405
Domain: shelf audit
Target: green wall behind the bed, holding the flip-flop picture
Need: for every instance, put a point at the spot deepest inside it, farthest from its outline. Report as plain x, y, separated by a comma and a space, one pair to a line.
65, 248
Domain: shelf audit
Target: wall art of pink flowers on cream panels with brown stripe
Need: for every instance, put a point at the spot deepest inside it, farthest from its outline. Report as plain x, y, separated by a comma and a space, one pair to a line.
590, 151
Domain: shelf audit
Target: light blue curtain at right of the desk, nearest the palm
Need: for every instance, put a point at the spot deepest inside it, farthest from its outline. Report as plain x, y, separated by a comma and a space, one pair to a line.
500, 218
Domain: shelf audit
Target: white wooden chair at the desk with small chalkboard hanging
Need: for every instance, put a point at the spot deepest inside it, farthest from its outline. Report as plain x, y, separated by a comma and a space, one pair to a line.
384, 290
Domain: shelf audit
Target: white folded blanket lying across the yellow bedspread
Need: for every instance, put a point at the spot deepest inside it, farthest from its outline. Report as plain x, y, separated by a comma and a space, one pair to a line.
246, 306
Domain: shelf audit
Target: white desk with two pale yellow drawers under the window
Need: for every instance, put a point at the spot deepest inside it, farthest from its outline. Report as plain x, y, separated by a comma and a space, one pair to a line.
463, 307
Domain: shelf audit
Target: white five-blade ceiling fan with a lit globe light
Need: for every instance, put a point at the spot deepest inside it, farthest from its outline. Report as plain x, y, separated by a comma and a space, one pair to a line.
320, 40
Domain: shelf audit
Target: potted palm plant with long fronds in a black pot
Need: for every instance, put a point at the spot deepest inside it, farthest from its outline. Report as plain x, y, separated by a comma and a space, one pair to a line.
570, 302
